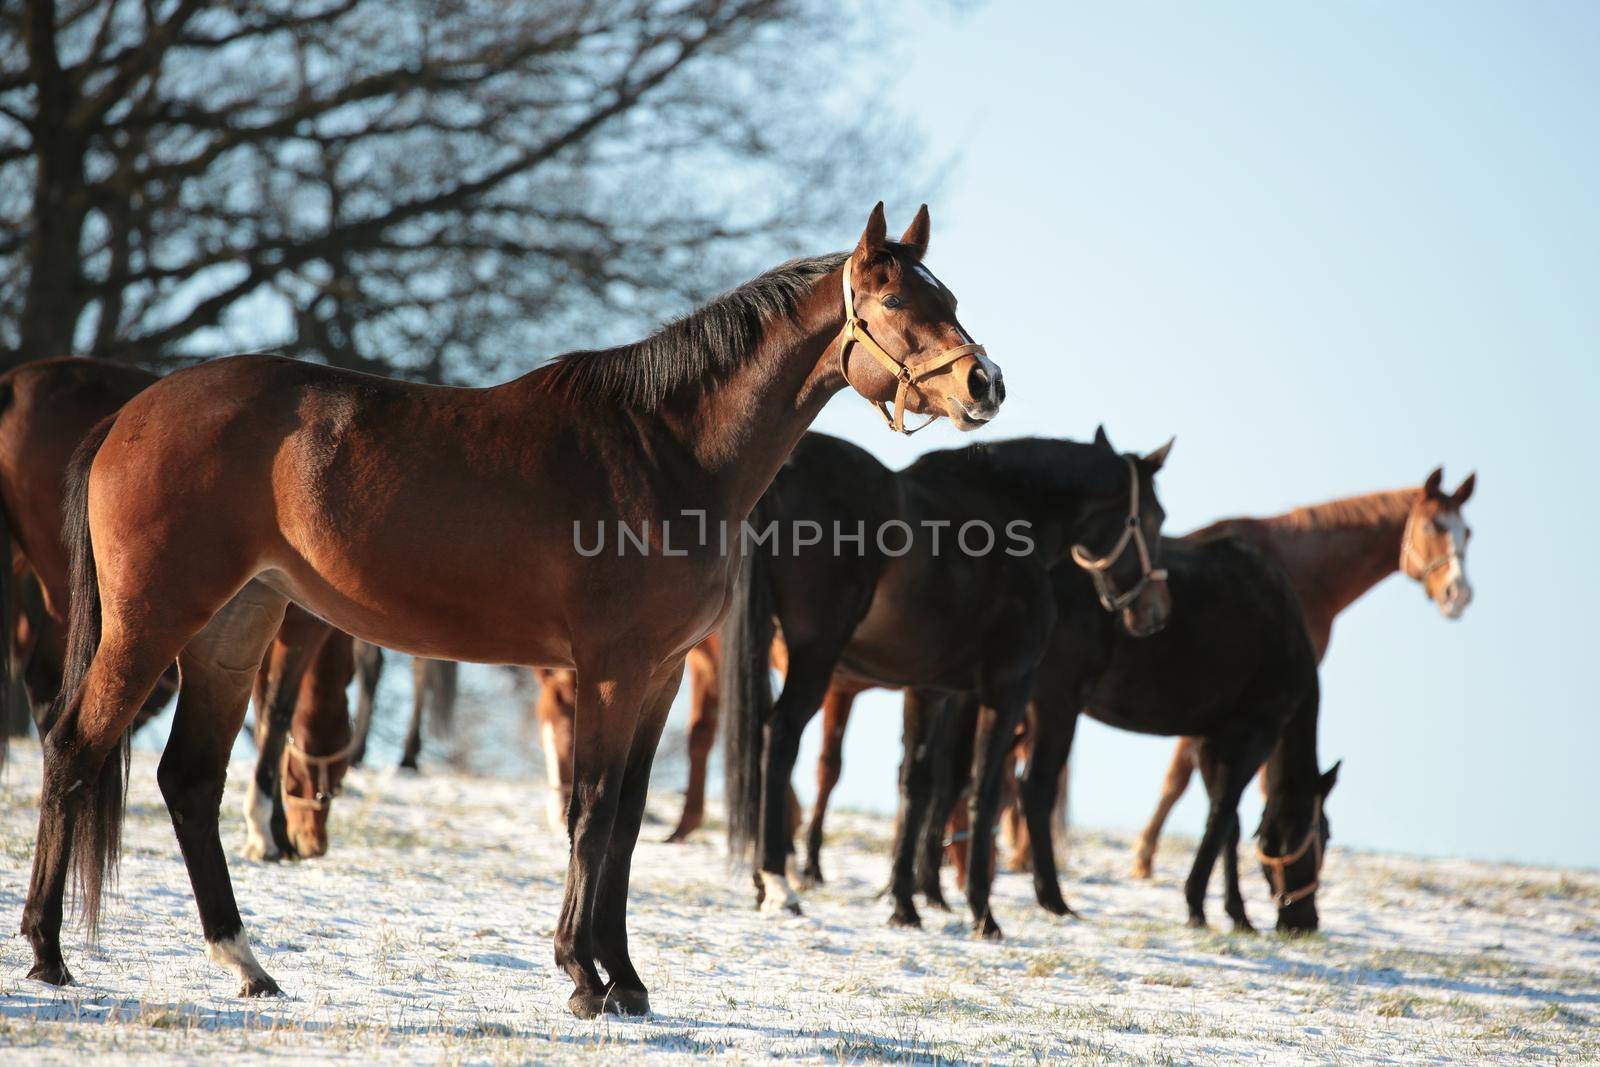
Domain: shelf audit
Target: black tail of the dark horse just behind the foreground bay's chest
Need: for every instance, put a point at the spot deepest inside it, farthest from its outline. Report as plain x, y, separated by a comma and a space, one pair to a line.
746, 689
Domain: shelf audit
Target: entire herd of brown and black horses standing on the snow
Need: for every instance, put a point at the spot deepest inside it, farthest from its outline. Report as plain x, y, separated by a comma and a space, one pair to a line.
255, 527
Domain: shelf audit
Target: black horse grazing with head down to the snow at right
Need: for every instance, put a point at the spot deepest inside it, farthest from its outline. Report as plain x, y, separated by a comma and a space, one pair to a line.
1236, 669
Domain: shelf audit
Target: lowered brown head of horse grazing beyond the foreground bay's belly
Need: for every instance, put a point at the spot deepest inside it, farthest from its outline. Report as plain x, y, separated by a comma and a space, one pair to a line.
316, 756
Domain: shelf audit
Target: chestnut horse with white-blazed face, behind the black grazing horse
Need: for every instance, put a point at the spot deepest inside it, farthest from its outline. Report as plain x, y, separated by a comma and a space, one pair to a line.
1334, 554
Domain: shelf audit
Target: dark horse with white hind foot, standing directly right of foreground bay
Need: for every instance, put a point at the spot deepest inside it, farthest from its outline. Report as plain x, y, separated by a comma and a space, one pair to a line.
926, 618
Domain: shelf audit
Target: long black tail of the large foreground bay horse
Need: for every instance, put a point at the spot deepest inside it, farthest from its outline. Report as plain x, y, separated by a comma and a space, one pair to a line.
97, 836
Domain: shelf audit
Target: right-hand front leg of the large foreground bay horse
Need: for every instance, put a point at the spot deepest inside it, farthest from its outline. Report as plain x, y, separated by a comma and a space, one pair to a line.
626, 991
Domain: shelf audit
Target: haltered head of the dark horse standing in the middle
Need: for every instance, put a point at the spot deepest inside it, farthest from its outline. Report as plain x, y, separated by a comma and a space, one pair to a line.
1121, 545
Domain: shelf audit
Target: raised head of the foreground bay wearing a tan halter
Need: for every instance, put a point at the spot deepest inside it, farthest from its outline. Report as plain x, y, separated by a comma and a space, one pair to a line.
902, 343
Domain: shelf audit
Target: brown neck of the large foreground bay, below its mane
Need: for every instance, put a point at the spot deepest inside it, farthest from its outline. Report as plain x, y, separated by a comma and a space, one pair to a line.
742, 431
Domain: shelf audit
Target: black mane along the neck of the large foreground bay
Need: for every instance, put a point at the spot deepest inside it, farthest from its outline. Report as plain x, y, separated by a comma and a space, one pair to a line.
702, 348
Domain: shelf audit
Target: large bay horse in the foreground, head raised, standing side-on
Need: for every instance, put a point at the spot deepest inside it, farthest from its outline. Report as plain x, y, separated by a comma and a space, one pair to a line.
449, 524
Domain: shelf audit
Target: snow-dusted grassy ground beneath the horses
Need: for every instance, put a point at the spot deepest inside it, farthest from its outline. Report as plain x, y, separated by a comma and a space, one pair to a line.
428, 933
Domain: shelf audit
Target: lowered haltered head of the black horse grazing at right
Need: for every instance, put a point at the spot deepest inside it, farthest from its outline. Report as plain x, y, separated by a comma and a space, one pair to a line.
1292, 845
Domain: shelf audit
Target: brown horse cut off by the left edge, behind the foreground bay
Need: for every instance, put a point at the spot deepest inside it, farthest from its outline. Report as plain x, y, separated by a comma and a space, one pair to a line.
47, 409
